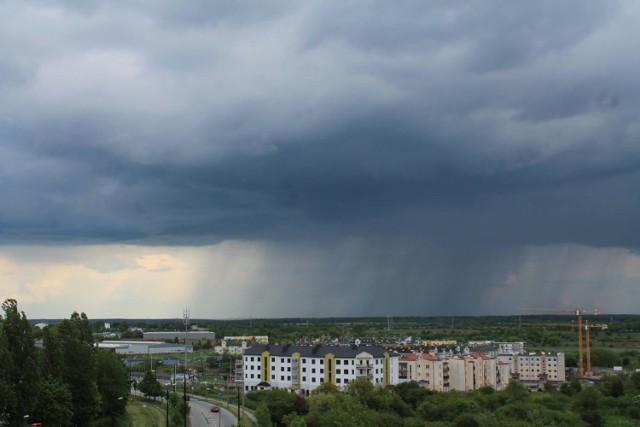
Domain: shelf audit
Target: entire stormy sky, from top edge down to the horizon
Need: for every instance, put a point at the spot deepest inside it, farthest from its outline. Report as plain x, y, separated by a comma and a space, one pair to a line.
273, 159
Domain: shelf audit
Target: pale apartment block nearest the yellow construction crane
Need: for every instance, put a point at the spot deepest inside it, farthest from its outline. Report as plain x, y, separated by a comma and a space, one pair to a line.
539, 367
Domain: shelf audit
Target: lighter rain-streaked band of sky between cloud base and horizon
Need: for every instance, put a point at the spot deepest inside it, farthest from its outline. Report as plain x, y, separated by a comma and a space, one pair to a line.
237, 279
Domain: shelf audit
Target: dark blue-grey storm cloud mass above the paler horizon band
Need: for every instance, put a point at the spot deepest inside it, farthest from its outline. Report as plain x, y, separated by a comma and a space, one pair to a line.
189, 123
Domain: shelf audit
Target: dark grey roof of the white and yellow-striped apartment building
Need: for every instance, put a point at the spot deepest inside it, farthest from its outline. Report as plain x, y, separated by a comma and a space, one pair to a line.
319, 350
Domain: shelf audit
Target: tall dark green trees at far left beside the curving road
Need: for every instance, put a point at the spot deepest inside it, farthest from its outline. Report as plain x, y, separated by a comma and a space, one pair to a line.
67, 381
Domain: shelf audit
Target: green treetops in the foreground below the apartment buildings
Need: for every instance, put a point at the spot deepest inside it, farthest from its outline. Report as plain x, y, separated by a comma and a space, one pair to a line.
614, 402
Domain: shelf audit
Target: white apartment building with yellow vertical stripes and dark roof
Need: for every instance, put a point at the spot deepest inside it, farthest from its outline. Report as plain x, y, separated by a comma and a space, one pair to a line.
303, 368
